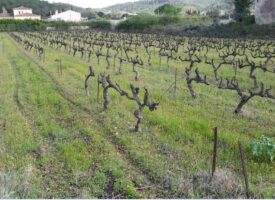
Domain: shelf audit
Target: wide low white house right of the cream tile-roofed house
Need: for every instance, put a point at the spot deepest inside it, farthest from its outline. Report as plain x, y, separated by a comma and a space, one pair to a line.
68, 15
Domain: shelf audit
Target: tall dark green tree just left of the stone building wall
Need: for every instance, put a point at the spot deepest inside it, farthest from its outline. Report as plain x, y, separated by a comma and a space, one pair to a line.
242, 9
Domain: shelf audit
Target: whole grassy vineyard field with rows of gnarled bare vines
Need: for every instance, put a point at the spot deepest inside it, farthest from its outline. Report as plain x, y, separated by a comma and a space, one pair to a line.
58, 142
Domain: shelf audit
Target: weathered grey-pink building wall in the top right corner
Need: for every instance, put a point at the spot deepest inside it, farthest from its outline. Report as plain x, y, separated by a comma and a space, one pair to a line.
265, 11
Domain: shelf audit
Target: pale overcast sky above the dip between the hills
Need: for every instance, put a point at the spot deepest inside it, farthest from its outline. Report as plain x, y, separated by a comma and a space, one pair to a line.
92, 3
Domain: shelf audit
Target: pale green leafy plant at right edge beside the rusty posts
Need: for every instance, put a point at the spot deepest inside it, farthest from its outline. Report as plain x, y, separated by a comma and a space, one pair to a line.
263, 150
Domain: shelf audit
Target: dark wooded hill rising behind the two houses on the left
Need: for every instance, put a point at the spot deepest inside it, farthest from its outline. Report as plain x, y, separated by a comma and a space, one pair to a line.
42, 8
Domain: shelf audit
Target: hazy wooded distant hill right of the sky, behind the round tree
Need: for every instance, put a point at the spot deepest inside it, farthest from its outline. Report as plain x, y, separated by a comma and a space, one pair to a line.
148, 6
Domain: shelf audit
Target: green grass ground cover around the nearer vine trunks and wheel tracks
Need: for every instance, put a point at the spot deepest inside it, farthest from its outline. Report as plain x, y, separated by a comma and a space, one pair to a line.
75, 153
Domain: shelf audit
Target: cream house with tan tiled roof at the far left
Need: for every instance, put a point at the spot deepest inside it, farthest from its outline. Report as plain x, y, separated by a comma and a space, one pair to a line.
20, 13
